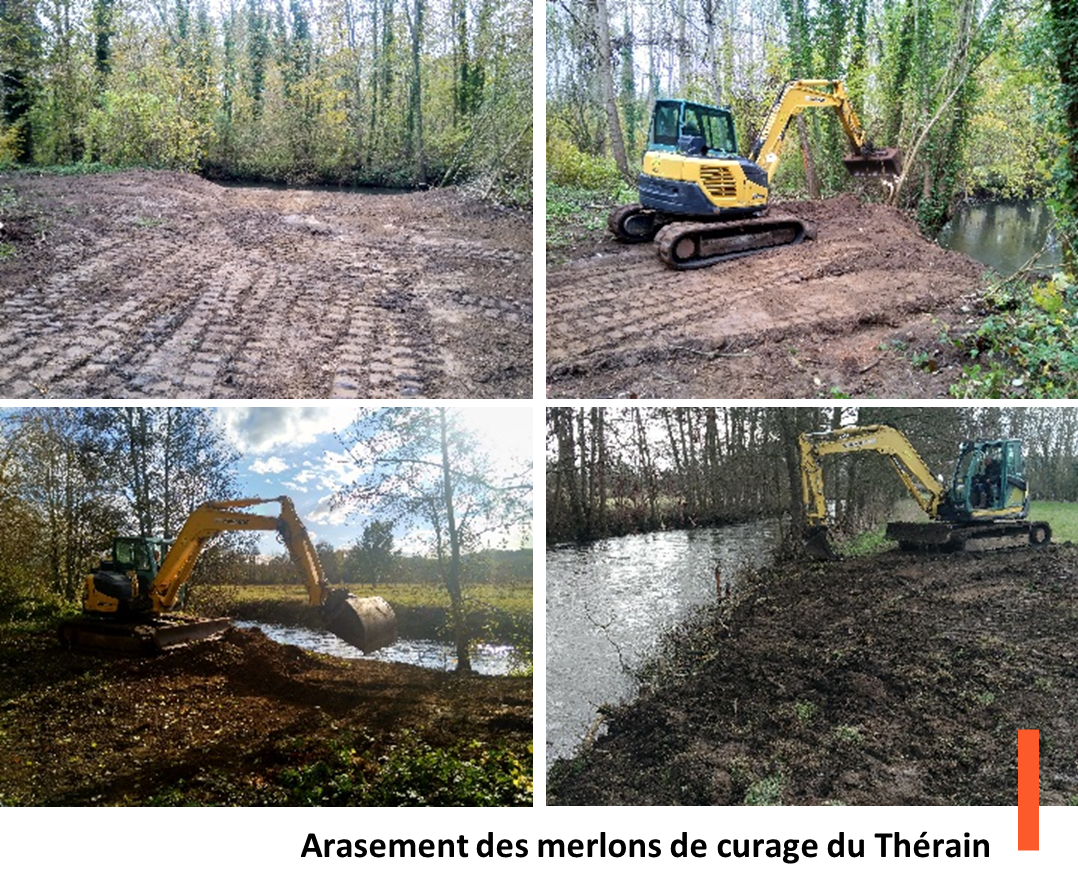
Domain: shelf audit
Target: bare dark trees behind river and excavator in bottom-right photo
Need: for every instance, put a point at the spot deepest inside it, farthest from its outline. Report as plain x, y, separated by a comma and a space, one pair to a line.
613, 471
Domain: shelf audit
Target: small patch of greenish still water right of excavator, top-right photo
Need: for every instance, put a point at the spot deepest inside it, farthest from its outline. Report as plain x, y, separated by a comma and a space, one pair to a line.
1004, 236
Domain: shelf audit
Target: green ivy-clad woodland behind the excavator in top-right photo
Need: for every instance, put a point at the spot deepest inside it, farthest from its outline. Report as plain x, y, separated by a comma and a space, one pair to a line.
980, 95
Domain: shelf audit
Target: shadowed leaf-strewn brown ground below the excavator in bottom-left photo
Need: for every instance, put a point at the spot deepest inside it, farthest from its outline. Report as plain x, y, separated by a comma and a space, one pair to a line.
240, 721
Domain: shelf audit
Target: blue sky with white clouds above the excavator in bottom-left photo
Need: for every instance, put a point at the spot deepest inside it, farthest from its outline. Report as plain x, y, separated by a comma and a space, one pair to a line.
295, 451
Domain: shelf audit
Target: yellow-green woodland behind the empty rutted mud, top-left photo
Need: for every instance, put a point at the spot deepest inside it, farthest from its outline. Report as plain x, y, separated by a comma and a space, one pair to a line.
377, 92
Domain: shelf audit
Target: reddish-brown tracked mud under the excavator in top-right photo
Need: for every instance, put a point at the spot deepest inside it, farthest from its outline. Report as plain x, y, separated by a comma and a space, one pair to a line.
859, 310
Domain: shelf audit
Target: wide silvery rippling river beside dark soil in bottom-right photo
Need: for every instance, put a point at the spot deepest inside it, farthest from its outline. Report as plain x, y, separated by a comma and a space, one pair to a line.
607, 604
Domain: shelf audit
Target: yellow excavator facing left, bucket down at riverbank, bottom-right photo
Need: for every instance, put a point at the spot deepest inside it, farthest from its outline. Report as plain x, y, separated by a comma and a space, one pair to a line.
986, 506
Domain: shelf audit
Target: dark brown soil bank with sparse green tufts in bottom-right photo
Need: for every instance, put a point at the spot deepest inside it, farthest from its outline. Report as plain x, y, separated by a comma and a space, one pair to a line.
891, 681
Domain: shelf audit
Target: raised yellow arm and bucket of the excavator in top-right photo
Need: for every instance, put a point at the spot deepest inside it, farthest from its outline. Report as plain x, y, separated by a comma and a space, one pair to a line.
800, 95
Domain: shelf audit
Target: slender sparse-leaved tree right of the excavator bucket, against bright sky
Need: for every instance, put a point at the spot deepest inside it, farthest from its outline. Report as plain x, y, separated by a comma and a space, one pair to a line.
422, 470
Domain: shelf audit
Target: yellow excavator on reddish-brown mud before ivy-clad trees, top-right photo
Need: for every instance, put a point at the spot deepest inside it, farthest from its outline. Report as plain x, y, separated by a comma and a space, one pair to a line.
703, 203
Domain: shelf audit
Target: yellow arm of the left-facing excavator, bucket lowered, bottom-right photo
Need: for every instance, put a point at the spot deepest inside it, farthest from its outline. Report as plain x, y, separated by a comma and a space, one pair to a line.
892, 444
